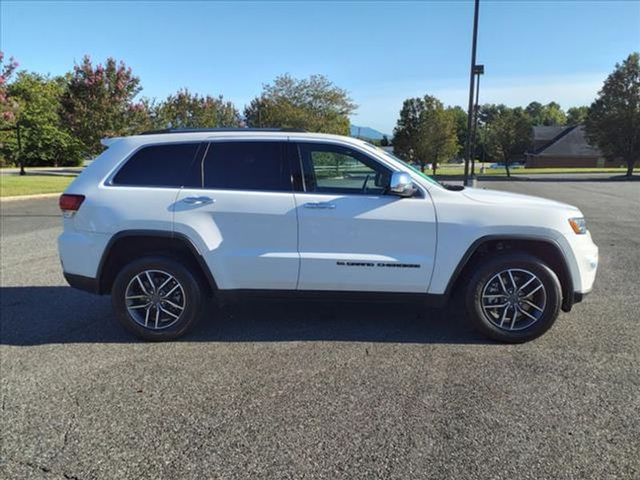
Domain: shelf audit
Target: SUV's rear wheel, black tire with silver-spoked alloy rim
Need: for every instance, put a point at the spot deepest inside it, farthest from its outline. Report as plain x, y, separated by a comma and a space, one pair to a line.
157, 298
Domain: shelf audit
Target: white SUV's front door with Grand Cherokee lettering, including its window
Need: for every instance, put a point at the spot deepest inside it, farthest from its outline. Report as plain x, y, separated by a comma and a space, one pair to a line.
353, 236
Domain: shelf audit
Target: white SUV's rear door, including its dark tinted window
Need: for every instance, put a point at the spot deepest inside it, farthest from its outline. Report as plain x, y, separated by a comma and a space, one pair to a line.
238, 204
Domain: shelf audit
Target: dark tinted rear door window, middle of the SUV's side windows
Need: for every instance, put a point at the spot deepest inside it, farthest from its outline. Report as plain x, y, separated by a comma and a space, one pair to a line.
246, 166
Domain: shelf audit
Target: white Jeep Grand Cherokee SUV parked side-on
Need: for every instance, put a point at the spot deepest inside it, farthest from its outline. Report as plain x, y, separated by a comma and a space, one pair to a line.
165, 220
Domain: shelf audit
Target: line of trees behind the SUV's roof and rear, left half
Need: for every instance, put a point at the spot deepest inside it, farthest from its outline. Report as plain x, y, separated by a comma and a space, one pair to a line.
62, 119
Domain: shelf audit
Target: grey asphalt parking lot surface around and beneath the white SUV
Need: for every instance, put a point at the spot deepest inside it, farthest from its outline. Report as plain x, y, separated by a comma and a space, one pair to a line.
320, 390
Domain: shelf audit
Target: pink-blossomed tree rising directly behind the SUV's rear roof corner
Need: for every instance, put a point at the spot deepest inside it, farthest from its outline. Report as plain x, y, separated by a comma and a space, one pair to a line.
98, 102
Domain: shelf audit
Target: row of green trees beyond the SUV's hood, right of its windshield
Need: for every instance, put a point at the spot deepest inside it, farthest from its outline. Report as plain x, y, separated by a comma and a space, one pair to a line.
427, 132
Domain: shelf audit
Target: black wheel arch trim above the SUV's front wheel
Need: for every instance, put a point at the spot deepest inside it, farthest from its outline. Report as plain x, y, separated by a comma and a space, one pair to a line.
546, 249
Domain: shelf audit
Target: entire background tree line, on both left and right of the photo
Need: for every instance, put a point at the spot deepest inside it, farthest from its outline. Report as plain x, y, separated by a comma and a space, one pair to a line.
63, 118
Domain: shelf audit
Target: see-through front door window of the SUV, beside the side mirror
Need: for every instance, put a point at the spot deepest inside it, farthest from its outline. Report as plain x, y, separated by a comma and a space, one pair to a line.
336, 169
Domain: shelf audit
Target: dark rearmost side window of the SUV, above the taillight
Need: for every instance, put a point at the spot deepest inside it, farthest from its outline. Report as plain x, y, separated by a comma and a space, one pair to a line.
158, 166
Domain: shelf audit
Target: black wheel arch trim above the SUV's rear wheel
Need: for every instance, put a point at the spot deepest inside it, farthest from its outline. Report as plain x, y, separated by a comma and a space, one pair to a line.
127, 245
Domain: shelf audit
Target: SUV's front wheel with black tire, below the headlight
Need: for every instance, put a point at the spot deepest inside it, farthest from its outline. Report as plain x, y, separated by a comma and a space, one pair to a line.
487, 317
